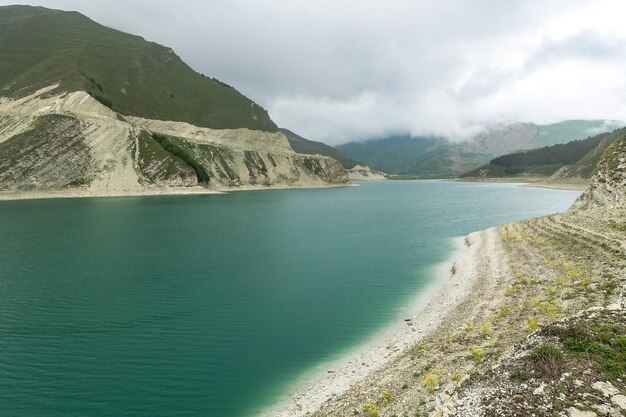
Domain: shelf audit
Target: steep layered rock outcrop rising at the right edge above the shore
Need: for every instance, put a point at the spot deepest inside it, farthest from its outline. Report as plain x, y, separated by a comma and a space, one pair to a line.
608, 188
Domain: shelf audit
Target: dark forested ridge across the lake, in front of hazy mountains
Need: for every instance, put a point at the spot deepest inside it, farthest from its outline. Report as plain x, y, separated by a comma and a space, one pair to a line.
540, 162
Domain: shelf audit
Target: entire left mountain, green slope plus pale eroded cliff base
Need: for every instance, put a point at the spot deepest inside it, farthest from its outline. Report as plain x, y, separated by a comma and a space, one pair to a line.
91, 109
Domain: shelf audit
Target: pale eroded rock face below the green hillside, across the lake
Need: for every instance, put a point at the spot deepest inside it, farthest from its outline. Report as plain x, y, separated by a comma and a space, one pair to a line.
72, 141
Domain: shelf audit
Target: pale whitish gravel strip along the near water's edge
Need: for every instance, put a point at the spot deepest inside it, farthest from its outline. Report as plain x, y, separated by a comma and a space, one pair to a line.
417, 319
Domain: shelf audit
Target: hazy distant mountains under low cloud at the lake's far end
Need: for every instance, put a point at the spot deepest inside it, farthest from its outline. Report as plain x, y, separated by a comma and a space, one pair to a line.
438, 157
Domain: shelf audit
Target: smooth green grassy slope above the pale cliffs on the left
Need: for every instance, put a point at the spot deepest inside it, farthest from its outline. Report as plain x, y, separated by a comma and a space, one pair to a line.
40, 47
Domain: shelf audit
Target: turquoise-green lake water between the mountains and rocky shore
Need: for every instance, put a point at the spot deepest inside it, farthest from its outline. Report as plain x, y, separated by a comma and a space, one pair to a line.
214, 305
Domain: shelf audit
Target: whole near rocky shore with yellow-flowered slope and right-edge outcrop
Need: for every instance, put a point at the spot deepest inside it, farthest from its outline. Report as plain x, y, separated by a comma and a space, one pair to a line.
529, 320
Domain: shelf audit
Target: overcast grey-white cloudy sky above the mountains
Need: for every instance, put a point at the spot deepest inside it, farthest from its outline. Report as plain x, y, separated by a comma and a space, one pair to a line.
340, 70
